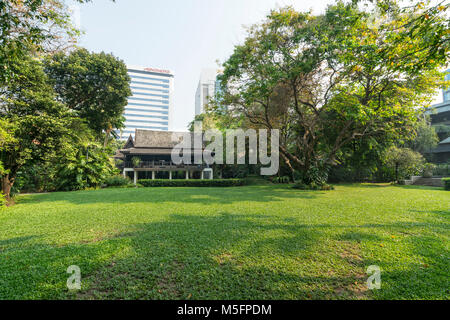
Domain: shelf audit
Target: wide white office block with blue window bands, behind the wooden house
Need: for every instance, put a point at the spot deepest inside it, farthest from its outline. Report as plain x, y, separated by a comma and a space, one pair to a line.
150, 105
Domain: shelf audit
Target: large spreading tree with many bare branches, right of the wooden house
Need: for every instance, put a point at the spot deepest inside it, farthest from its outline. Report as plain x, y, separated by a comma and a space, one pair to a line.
327, 80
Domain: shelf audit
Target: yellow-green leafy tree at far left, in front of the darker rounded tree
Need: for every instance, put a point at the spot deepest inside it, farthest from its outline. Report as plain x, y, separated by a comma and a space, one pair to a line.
36, 122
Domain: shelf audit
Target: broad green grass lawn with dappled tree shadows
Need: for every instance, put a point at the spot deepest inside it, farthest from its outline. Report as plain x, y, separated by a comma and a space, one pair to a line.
253, 242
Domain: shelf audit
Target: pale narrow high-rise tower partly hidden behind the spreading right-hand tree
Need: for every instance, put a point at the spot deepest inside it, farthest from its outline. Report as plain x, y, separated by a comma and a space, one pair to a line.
207, 87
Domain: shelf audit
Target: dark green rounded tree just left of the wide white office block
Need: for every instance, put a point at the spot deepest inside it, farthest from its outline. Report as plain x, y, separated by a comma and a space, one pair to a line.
95, 85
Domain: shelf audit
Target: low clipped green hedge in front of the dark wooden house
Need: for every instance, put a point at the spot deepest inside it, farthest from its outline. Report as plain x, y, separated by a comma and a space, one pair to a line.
192, 183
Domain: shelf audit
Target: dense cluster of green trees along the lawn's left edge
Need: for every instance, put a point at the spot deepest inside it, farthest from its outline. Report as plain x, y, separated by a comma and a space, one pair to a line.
42, 124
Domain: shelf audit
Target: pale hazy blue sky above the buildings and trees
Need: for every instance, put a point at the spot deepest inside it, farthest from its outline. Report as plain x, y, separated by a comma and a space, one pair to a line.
184, 36
